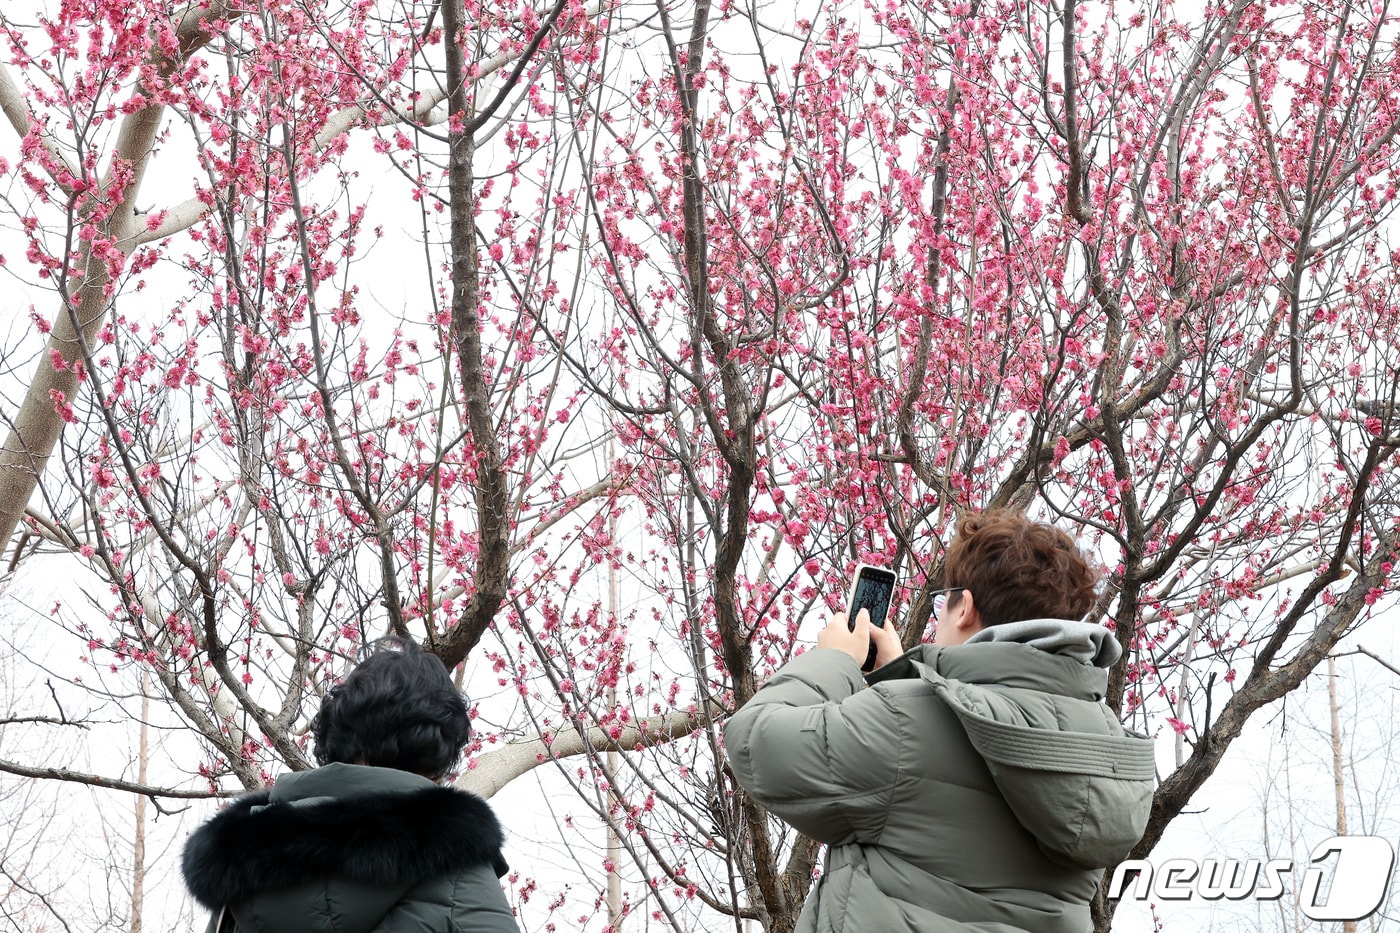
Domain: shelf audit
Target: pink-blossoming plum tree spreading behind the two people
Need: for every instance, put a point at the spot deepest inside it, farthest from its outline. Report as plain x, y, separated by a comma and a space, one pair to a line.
712, 303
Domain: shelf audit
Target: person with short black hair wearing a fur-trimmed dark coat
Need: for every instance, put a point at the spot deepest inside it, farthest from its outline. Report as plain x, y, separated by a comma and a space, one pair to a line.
370, 841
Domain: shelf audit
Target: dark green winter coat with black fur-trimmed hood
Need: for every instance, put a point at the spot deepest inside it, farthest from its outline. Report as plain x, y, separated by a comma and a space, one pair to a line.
352, 850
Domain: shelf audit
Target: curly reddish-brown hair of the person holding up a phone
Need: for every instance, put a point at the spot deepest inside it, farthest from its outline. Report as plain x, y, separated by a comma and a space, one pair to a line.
1020, 569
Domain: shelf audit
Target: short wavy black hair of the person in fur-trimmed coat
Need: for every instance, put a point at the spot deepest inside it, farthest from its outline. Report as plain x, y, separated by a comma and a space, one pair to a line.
397, 710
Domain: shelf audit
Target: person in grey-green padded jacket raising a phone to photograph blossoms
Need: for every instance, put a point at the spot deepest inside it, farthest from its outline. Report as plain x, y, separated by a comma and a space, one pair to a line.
978, 784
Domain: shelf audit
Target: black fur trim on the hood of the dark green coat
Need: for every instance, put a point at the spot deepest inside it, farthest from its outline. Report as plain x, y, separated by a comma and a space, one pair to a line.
374, 838
